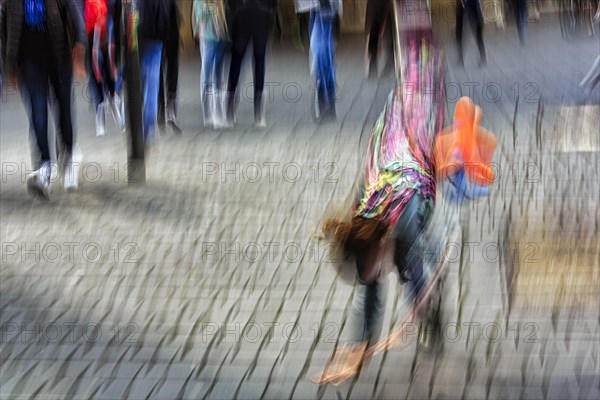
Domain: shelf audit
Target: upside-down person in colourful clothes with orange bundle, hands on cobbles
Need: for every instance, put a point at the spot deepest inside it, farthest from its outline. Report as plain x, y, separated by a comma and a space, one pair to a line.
408, 153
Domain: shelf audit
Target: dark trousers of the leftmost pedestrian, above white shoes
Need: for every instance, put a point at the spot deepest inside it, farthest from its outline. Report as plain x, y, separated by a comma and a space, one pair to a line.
35, 75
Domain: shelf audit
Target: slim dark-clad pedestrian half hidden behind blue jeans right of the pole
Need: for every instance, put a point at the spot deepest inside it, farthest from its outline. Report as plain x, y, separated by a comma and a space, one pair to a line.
169, 72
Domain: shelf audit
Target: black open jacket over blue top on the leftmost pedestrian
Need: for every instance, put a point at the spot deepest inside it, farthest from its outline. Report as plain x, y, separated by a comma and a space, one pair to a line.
11, 24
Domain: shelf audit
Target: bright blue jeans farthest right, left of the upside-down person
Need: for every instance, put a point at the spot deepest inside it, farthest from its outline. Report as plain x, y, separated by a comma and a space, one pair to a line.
323, 56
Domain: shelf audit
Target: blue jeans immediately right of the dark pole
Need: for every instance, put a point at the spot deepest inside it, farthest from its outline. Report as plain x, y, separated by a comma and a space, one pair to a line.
150, 58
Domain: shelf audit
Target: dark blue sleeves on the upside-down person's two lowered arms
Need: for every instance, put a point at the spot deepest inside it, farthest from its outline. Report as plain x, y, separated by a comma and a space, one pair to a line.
408, 257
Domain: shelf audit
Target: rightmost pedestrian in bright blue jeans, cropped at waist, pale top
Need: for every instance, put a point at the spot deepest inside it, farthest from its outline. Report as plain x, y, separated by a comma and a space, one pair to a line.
322, 54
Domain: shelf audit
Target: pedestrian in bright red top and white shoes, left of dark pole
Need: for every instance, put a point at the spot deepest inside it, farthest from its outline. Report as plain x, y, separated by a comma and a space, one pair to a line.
104, 42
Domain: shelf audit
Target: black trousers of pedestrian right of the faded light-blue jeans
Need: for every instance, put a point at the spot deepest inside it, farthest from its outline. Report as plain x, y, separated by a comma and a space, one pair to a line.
249, 25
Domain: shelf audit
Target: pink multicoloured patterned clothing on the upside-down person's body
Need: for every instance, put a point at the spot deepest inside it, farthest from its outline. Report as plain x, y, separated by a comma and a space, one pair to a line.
400, 157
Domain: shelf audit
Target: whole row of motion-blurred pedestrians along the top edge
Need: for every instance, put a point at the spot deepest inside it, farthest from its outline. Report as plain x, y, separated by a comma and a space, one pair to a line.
45, 44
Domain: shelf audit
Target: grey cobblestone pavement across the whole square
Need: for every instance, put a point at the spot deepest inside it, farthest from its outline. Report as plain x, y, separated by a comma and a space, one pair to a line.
212, 281
